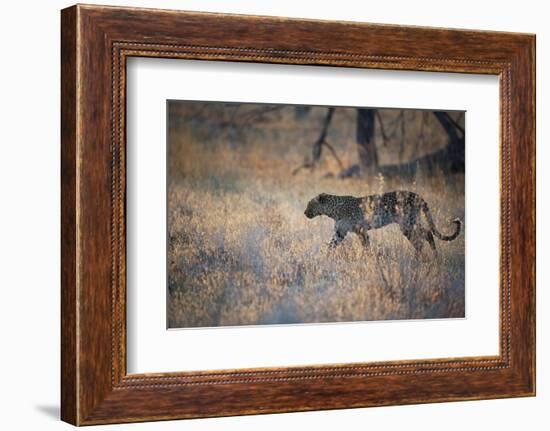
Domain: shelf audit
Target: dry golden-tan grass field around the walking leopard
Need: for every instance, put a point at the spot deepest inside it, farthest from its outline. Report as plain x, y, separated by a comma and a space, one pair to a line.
241, 251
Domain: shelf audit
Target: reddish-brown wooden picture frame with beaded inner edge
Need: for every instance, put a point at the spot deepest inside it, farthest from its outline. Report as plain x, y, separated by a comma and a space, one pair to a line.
95, 43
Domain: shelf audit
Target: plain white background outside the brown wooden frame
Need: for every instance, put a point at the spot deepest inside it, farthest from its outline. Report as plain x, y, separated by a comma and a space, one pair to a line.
29, 216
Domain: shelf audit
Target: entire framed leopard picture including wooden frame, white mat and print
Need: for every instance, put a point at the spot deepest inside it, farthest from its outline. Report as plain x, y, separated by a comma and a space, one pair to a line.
264, 214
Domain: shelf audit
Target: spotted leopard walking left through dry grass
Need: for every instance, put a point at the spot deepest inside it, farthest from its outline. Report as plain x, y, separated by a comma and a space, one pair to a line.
359, 215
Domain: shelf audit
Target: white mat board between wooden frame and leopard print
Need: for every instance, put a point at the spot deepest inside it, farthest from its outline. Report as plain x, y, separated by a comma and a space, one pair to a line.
151, 348
